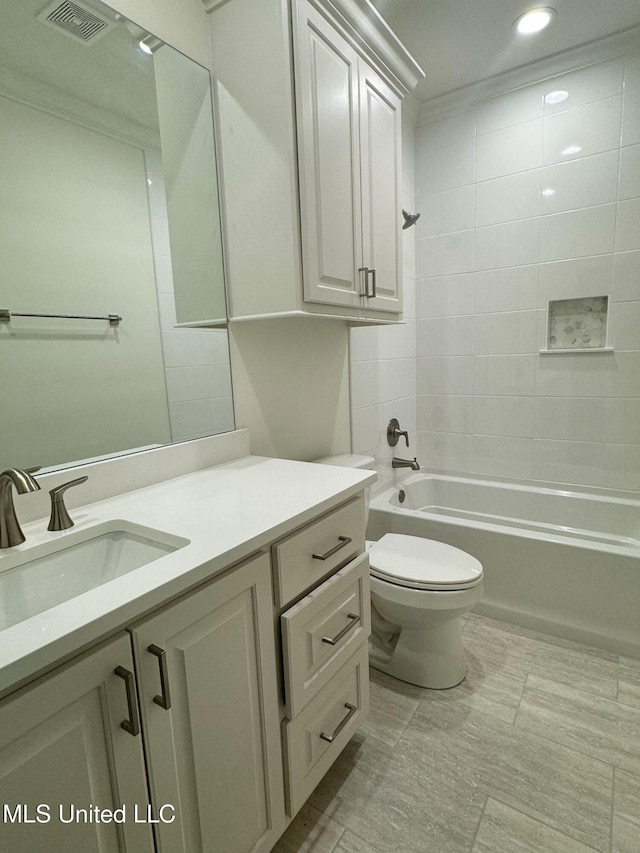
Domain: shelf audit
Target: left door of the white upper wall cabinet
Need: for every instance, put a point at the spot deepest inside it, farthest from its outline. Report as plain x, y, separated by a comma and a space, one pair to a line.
329, 161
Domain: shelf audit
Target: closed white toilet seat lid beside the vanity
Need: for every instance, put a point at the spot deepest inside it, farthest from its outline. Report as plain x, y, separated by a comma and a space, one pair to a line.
422, 563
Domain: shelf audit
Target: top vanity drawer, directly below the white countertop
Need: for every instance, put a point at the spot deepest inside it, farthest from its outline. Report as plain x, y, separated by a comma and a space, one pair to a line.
306, 557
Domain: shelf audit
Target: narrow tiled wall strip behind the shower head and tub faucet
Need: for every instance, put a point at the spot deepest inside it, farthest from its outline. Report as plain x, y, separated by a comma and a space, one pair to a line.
383, 358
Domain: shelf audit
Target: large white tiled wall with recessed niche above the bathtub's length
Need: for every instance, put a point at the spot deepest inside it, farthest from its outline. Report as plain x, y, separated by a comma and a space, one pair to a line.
493, 249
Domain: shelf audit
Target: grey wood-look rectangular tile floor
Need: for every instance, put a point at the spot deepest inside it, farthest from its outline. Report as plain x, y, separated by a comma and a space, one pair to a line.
537, 750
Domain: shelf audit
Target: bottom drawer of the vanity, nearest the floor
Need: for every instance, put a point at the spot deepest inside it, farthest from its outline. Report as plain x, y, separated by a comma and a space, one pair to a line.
315, 738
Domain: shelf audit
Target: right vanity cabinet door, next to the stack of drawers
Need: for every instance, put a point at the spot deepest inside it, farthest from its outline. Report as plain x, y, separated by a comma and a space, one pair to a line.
208, 695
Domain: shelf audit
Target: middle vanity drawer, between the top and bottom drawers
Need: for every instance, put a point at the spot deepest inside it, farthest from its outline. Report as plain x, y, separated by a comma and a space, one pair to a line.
322, 630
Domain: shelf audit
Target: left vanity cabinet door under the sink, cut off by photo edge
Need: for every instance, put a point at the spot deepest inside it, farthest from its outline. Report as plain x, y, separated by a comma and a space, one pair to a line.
63, 749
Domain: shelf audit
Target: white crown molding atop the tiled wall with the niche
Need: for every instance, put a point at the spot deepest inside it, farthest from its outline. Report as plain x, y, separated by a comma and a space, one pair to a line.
592, 53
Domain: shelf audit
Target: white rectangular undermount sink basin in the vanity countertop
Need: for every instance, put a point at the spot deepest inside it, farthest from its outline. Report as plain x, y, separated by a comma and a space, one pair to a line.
35, 579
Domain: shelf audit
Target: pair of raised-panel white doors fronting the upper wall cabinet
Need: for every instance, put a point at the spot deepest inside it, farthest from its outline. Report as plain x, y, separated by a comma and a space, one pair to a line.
349, 155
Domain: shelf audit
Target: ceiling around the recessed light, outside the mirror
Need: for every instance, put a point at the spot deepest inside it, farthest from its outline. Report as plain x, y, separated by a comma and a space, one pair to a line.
459, 42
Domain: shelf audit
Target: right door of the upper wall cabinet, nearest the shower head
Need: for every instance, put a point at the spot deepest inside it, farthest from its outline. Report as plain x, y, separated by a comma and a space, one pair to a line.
380, 153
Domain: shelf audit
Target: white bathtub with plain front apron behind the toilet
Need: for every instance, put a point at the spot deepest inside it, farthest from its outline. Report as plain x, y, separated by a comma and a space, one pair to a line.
565, 562
